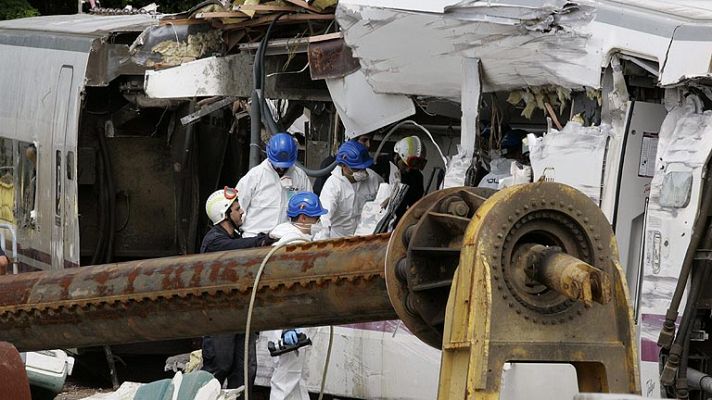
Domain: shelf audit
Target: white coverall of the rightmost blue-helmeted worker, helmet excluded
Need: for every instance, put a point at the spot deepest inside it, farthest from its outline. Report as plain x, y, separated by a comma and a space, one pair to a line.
345, 200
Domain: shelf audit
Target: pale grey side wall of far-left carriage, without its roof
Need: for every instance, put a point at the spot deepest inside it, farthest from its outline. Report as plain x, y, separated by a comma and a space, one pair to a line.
32, 75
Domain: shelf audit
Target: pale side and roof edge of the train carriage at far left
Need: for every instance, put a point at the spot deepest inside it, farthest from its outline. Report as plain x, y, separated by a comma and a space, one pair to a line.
44, 62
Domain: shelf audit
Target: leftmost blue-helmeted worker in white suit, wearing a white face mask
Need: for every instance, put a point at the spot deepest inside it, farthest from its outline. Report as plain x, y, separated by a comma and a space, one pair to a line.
265, 189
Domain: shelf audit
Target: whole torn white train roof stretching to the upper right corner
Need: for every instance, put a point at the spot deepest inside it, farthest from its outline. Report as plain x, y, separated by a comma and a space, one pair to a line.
404, 47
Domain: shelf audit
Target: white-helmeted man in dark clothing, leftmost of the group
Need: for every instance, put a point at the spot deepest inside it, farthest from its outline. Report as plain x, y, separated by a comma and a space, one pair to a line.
223, 355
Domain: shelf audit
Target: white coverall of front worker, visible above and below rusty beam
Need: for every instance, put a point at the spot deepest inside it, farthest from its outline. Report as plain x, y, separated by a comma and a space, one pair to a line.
287, 381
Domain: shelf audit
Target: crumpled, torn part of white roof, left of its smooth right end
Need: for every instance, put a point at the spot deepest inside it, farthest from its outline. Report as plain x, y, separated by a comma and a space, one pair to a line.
421, 53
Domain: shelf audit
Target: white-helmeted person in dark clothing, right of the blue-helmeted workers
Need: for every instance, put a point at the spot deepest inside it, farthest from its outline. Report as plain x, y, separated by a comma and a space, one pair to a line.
410, 158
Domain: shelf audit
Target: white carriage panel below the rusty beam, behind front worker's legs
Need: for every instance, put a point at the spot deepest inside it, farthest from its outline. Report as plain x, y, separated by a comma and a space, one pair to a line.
380, 360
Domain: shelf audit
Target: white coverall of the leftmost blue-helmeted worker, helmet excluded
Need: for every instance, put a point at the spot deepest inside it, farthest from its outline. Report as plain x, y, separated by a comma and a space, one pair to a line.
264, 196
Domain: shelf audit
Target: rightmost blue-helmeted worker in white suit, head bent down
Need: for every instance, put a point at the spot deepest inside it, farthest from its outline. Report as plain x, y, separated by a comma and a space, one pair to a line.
349, 187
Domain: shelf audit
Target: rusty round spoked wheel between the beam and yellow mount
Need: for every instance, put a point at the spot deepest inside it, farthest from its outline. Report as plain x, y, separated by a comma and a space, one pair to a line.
422, 256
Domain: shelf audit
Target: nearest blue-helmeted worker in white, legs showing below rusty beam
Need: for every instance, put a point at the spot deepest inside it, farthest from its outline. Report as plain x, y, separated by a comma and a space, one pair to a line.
287, 383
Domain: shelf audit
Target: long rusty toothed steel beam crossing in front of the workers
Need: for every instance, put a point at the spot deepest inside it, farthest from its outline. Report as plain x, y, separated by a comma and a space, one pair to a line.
320, 283
